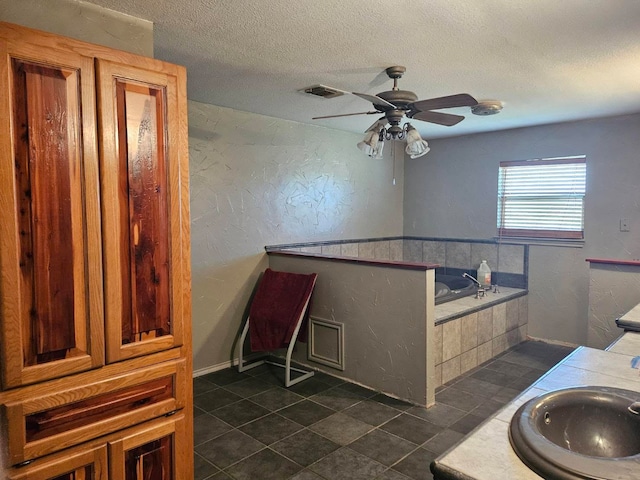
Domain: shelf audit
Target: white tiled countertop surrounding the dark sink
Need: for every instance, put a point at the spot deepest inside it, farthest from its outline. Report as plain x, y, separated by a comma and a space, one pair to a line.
486, 454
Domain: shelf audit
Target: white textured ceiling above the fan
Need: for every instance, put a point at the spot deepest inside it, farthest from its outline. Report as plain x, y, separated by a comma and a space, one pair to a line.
546, 60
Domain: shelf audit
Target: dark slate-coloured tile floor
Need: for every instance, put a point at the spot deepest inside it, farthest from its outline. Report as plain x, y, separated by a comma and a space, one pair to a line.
249, 427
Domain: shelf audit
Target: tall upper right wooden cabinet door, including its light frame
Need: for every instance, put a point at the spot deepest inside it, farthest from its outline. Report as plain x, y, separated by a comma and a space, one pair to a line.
143, 169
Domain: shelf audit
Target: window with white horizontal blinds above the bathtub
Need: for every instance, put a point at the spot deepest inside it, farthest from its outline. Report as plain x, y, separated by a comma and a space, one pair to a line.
542, 198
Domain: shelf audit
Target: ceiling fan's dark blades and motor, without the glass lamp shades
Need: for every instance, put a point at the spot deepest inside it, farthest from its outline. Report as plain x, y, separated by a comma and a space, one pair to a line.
394, 104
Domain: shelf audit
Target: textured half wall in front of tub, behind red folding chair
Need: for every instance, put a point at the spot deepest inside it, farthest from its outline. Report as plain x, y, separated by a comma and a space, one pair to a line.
388, 327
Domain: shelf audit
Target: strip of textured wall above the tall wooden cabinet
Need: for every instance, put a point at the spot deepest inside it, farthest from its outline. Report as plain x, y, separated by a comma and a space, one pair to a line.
82, 21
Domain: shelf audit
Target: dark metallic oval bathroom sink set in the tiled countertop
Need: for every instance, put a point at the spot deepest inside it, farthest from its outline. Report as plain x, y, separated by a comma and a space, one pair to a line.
580, 433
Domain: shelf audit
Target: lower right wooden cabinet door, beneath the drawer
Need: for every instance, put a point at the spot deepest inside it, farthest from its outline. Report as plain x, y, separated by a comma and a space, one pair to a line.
152, 451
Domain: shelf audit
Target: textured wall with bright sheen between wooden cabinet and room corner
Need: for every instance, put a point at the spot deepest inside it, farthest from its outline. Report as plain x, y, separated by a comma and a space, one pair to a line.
259, 181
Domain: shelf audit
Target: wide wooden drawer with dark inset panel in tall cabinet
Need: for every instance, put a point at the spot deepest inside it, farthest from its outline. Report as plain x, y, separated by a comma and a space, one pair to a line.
59, 419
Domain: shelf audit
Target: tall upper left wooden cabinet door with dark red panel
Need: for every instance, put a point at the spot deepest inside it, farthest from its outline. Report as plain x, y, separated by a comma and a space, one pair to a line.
51, 304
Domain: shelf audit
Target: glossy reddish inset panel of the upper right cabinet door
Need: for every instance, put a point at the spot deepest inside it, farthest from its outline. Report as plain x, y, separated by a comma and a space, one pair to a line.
141, 129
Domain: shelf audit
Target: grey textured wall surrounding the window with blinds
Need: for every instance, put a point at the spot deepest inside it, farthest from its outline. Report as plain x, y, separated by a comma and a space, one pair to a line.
458, 181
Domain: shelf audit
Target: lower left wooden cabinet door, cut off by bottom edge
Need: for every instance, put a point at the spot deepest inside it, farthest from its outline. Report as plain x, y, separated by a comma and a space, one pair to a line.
75, 464
